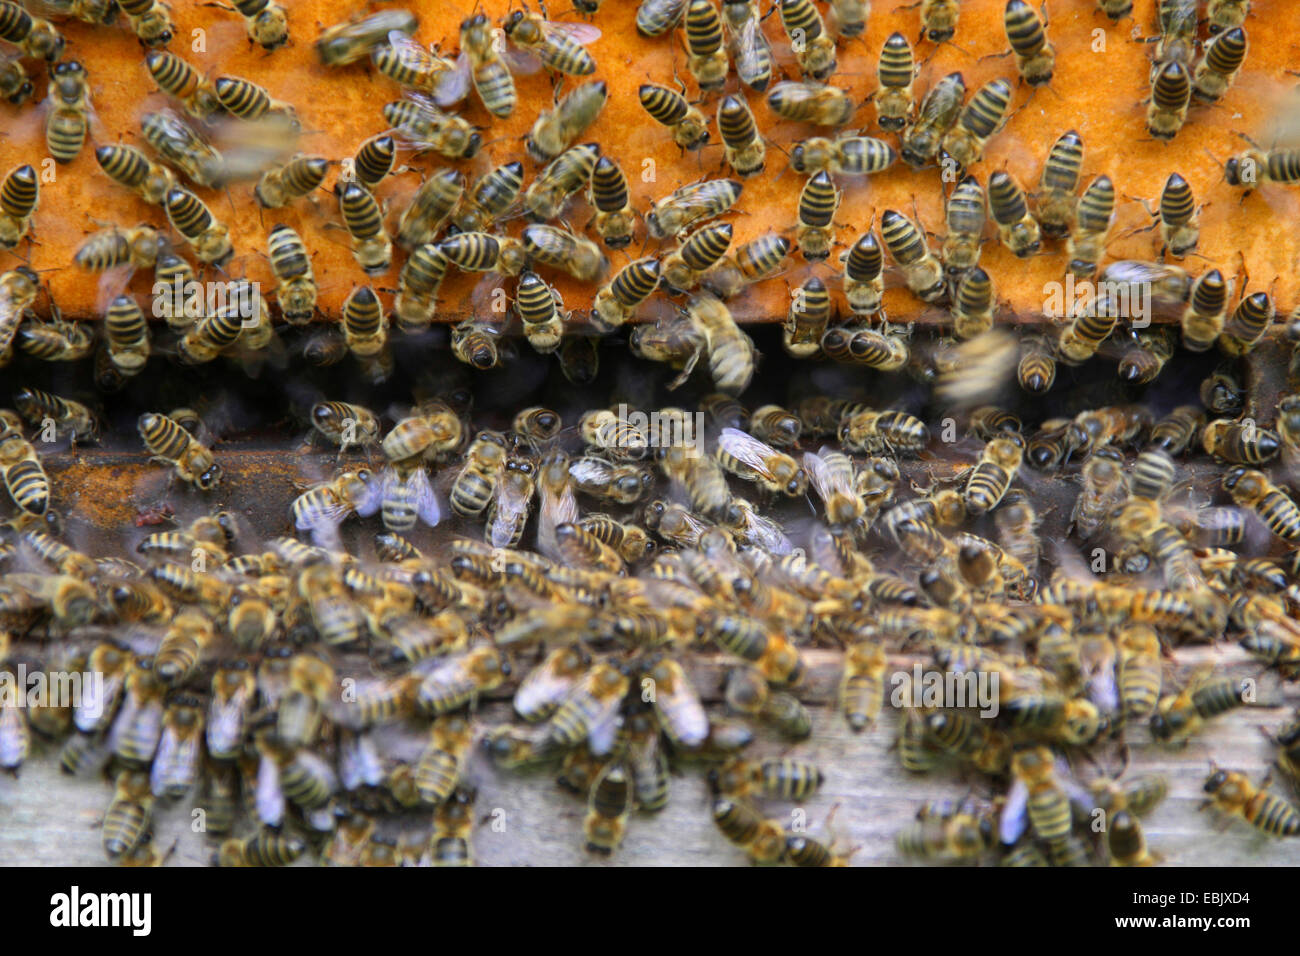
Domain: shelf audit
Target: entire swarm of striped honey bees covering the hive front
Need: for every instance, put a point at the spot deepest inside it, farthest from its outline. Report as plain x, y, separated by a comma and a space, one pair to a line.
226, 657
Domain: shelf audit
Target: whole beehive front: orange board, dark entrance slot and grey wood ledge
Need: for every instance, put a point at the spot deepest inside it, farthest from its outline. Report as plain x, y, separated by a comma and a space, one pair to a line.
109, 495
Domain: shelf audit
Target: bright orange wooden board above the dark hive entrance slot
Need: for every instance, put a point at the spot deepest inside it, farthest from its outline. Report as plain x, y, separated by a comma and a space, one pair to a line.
1099, 86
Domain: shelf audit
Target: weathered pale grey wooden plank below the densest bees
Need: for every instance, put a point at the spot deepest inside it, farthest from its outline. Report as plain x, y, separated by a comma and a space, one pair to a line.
49, 819
